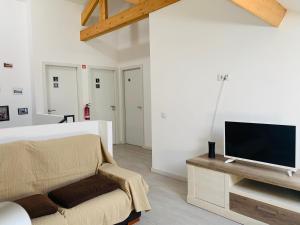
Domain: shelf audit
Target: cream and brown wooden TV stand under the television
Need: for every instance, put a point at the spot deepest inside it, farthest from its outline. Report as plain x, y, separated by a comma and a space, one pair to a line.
247, 193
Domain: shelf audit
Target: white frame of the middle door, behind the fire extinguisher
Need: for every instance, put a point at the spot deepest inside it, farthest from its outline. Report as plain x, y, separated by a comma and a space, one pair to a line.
90, 87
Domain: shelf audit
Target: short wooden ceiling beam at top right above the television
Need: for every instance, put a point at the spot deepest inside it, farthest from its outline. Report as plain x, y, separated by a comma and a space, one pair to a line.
271, 11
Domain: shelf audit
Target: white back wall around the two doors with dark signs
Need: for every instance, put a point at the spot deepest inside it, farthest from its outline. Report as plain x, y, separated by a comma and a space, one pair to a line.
55, 39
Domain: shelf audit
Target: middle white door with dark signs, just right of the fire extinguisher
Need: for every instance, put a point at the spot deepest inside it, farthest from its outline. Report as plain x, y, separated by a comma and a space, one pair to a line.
103, 106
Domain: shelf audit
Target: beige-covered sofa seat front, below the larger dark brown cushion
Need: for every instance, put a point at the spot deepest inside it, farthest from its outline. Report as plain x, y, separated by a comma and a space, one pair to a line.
107, 209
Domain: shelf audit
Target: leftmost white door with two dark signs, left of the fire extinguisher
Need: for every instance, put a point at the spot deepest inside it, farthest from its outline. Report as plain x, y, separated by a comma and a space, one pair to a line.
62, 90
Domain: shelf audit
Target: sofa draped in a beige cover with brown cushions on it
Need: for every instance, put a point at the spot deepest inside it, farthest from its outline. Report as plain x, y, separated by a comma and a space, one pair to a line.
32, 167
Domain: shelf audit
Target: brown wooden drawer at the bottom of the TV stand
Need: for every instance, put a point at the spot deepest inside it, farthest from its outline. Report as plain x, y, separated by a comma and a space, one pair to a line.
263, 212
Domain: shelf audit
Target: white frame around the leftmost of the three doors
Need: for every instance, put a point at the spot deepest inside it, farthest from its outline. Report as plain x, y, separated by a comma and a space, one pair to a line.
45, 82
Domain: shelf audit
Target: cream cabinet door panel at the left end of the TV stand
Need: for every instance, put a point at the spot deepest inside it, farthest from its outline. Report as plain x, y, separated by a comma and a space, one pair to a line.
206, 185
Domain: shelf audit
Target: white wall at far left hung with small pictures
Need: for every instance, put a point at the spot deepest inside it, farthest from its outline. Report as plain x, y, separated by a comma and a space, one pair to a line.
15, 49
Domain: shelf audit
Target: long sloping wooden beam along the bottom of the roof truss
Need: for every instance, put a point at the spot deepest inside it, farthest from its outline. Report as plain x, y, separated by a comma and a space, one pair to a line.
124, 18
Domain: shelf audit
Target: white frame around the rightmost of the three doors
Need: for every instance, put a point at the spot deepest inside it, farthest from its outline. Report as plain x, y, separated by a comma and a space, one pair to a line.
123, 69
